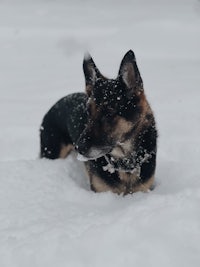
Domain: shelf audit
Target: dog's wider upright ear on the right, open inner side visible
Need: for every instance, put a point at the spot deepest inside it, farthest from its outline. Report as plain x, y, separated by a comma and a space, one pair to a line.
129, 73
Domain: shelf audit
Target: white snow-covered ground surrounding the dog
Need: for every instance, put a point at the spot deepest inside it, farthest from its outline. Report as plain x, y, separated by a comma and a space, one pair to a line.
48, 215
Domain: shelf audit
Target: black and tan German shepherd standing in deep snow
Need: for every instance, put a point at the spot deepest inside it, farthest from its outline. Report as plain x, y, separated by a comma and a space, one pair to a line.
111, 126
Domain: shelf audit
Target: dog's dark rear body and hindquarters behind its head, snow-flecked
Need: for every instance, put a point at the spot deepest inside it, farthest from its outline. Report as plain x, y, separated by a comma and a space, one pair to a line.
62, 126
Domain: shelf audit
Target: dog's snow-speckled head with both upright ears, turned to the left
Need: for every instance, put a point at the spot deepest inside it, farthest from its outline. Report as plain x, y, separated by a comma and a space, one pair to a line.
114, 107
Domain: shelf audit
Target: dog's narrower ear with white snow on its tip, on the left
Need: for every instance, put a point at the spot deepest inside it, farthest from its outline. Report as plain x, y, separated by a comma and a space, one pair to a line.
91, 73
